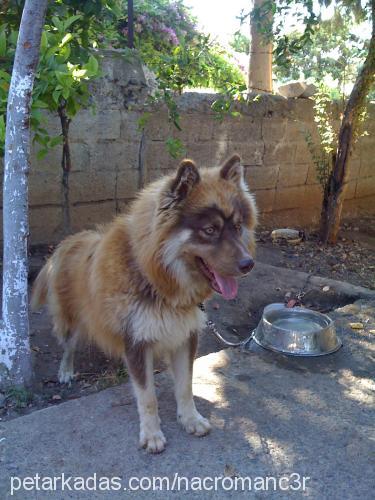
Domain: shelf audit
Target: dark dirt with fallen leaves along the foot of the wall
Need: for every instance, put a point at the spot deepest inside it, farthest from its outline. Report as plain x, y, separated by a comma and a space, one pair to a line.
351, 260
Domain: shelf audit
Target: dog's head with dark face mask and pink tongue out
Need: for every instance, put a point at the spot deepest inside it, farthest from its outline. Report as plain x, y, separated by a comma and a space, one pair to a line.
211, 241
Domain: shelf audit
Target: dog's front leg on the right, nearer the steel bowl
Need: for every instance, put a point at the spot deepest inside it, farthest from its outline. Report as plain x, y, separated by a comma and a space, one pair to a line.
182, 360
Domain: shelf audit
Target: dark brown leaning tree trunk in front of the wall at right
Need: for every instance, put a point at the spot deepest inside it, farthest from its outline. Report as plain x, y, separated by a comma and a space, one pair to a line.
335, 190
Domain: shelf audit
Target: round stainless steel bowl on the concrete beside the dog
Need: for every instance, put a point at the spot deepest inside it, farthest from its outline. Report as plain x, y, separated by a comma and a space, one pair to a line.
296, 331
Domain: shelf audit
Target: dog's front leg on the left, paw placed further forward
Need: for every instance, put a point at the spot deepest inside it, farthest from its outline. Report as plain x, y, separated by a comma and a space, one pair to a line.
140, 361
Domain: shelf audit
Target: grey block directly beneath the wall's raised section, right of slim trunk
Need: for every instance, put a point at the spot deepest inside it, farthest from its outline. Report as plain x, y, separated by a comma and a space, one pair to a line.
87, 126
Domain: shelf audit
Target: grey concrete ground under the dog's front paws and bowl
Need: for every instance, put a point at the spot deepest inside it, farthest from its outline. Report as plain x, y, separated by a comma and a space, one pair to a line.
272, 416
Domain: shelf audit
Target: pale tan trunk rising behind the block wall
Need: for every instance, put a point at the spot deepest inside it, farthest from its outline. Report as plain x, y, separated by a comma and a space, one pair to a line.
260, 63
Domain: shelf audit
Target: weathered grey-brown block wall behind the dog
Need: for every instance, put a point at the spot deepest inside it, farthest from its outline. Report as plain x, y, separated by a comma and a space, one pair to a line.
112, 159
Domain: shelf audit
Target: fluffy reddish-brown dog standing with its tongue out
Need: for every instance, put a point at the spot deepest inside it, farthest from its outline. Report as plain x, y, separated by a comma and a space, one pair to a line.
133, 287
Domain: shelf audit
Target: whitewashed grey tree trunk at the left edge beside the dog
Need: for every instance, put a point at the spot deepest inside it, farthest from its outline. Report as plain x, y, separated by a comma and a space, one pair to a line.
15, 357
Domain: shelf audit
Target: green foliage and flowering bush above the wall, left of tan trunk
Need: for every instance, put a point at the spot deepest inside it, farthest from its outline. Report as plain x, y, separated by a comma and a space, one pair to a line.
166, 38
